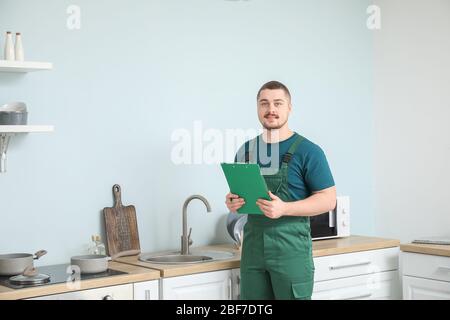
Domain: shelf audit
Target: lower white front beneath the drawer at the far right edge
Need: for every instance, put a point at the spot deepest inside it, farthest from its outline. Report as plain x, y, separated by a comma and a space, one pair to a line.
425, 289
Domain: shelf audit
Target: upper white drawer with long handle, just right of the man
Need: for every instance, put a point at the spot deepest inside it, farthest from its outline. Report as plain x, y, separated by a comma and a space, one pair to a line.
356, 263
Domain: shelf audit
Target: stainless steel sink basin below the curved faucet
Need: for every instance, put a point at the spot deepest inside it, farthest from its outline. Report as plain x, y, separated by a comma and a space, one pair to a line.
196, 256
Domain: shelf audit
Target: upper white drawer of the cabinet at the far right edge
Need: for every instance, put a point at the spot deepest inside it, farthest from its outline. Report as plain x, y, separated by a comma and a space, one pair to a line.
426, 266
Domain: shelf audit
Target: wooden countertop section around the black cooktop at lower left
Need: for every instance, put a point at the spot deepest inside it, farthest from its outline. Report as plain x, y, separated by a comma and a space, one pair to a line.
134, 274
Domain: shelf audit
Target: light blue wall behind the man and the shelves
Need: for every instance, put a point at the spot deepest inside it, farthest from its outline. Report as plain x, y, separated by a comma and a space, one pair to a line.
138, 70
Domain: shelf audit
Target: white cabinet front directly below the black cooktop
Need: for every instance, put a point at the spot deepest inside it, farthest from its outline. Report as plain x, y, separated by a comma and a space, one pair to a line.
120, 292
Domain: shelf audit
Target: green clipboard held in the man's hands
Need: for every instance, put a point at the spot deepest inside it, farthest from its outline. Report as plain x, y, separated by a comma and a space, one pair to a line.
245, 180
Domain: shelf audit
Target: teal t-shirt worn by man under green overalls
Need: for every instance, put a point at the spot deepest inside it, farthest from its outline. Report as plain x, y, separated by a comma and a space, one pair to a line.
308, 169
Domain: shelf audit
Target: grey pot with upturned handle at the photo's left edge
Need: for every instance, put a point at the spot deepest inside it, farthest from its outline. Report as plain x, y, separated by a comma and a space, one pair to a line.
16, 263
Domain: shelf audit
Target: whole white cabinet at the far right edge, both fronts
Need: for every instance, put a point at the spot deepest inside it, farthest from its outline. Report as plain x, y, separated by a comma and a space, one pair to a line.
425, 277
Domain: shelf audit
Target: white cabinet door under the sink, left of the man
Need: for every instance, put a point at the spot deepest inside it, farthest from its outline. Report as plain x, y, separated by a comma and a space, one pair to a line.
203, 286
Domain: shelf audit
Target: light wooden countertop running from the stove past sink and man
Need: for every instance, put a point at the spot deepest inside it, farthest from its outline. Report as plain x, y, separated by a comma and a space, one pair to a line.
138, 271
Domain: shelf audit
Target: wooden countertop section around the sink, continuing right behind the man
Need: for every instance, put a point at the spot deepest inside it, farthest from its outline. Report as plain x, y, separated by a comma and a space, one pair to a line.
320, 248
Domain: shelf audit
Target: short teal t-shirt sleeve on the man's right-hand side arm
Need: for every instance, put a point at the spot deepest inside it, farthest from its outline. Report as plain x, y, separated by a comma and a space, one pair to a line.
317, 173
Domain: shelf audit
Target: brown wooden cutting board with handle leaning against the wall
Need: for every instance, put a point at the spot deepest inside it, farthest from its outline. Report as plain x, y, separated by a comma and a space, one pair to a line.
121, 228
